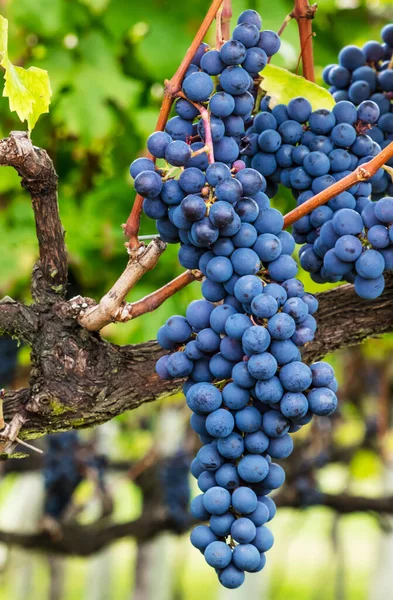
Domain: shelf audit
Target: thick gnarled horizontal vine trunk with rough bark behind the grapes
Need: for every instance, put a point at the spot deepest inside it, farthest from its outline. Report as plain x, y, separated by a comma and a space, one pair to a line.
79, 380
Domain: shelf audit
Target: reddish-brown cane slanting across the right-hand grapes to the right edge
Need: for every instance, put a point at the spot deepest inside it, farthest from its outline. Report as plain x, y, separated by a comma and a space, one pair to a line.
362, 173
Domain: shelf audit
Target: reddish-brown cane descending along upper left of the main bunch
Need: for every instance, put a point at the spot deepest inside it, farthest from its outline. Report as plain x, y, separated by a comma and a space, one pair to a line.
172, 87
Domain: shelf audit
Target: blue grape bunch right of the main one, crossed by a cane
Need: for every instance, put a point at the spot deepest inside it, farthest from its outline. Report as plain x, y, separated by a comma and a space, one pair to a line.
327, 146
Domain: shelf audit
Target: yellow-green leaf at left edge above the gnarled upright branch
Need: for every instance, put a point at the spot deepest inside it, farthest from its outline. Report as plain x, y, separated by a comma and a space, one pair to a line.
28, 90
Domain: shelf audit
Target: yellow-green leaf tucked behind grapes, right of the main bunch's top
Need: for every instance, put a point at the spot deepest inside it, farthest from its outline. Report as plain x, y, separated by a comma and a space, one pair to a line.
282, 86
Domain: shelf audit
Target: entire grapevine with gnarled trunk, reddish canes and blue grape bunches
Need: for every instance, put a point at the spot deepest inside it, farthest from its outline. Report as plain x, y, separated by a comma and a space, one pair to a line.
223, 147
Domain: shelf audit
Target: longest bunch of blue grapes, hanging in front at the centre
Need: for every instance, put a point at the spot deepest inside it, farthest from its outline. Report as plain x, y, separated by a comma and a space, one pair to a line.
239, 346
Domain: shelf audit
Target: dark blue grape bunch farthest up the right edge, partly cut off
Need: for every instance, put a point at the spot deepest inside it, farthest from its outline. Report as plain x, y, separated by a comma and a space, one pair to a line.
366, 74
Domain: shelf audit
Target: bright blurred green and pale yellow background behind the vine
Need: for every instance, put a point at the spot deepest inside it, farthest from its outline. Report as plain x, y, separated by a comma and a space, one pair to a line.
107, 60
